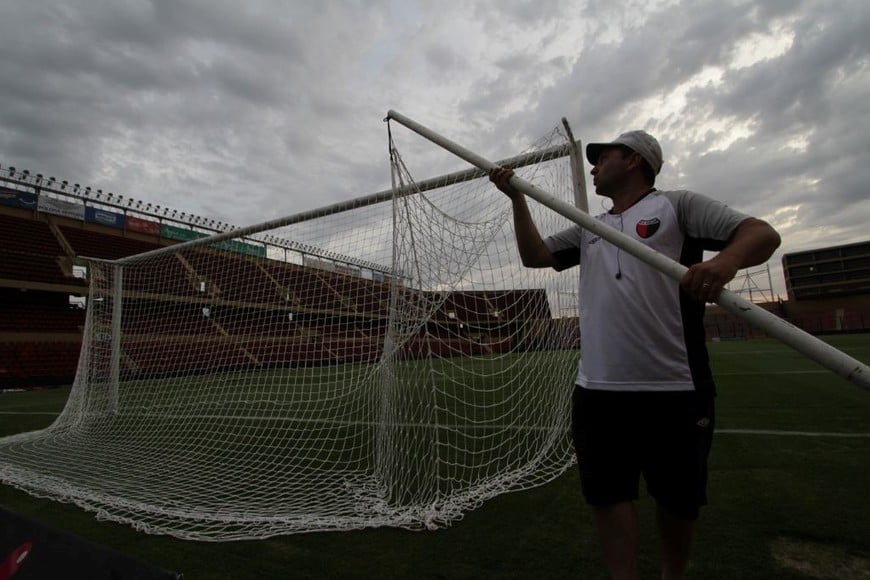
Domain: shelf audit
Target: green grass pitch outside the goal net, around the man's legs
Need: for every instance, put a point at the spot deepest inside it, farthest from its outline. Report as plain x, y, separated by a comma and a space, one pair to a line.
789, 498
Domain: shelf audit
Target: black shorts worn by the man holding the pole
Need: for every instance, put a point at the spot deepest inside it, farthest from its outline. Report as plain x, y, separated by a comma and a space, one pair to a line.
665, 436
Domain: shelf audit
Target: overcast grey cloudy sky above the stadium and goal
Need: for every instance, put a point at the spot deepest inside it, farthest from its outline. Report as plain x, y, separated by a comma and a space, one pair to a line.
248, 111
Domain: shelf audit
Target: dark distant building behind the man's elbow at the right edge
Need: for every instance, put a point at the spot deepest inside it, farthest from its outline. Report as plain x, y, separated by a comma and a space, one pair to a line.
828, 272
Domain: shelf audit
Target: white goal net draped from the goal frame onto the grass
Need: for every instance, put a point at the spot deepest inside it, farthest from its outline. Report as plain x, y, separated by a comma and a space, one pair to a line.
385, 364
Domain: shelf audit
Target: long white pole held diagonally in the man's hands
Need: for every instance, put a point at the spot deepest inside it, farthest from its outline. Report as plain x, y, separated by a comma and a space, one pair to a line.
819, 351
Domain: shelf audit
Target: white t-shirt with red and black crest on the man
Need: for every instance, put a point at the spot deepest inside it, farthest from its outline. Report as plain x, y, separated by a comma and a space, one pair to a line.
639, 331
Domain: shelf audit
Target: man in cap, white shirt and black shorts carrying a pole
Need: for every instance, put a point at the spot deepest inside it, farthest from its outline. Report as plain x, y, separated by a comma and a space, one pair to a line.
643, 403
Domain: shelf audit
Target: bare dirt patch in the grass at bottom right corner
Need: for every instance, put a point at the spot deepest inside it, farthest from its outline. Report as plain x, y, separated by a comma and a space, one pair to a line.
820, 560
